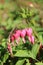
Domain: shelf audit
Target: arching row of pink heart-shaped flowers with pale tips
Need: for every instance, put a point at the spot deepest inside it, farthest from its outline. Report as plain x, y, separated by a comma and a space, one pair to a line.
22, 34
